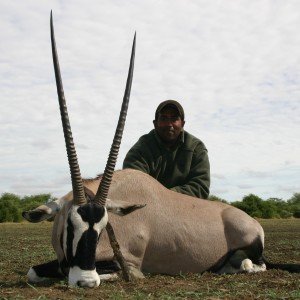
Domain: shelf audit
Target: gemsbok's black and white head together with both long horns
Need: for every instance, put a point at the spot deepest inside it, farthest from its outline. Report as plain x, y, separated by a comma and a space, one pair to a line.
86, 216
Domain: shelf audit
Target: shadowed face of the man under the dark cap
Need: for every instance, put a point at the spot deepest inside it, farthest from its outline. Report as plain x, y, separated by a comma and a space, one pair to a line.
168, 125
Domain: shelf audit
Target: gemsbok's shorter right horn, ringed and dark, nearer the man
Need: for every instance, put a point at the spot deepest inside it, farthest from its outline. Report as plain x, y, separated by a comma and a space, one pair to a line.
102, 192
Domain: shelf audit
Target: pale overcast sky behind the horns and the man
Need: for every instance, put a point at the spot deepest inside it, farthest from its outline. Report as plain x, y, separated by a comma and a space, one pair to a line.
234, 65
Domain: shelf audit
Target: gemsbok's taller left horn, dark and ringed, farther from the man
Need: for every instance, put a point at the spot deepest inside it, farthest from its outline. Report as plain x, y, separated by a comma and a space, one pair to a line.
78, 191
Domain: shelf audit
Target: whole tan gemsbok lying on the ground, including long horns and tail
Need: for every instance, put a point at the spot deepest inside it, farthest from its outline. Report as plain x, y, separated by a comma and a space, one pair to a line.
160, 231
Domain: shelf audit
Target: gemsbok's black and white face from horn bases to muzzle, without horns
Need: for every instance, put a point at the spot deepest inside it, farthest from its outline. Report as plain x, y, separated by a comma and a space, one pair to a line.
82, 230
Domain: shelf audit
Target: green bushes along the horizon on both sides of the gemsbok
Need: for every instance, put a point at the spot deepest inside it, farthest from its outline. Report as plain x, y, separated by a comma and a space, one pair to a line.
11, 206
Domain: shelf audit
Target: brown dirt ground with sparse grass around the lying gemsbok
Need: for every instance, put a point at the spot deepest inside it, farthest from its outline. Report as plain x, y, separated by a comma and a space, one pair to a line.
23, 245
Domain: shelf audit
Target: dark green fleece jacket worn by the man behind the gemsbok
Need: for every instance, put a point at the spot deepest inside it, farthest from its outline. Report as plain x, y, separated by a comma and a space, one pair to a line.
184, 169
